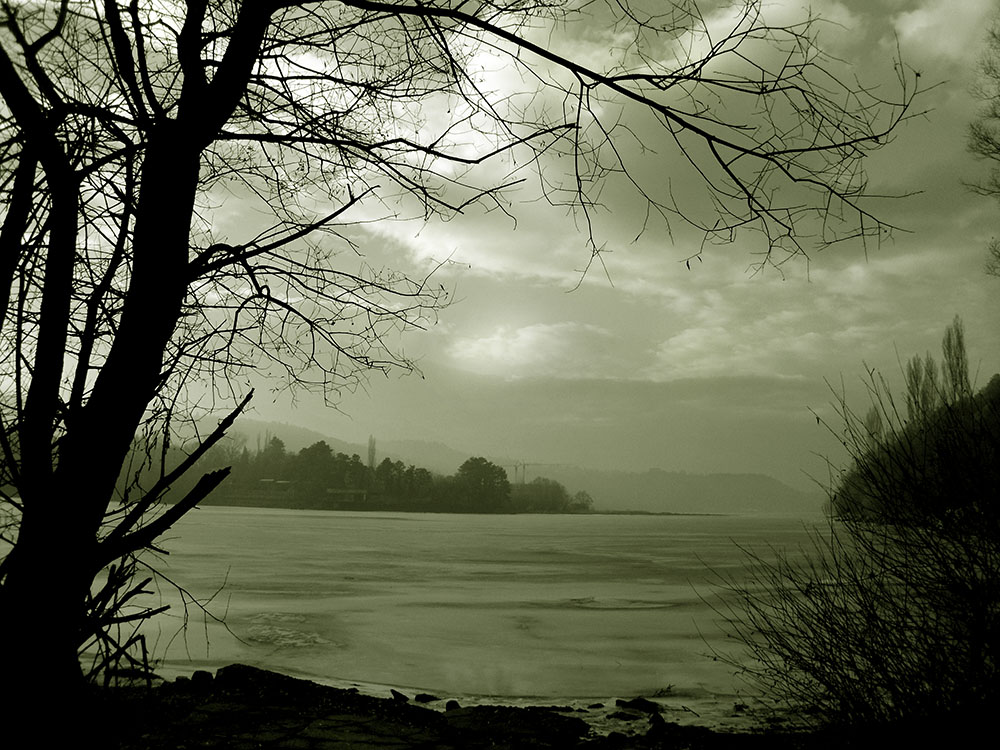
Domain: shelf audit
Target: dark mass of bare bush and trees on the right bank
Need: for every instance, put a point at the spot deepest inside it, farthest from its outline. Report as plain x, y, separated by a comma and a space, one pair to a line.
893, 615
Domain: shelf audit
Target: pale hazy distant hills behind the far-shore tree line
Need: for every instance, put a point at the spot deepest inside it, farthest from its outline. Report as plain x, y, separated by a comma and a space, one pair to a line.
655, 490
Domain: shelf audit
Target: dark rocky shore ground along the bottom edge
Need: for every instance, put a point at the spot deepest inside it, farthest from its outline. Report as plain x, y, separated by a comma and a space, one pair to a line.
245, 707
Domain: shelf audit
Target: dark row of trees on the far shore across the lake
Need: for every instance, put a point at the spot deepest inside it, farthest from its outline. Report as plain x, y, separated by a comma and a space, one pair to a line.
319, 478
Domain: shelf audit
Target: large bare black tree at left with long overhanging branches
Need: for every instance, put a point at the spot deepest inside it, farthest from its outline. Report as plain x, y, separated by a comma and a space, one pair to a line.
123, 126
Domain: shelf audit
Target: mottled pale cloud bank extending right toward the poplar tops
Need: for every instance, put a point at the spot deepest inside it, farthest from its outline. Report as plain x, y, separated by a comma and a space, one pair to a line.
851, 311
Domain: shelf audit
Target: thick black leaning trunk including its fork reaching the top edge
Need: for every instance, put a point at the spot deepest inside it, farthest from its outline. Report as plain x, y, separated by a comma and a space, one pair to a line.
47, 577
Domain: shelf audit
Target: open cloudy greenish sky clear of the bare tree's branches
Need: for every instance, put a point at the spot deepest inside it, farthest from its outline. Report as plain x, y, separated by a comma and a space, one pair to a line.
646, 362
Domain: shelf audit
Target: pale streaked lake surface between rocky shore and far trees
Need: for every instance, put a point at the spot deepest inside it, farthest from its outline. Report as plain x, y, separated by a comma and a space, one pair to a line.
553, 607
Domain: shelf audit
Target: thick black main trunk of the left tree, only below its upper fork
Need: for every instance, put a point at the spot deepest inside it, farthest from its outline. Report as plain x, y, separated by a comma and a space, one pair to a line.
48, 575
